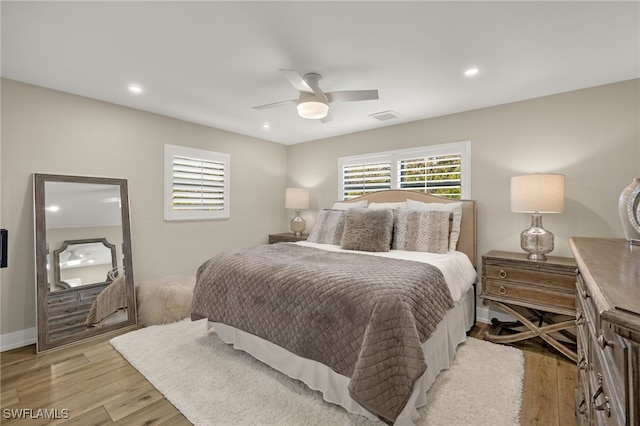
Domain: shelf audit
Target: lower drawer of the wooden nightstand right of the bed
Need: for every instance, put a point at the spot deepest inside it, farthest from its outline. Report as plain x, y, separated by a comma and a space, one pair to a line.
529, 295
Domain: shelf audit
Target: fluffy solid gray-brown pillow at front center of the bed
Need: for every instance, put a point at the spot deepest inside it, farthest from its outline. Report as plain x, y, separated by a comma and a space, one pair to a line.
367, 230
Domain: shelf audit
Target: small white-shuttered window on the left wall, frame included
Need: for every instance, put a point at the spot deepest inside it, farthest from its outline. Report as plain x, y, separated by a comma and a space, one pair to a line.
196, 184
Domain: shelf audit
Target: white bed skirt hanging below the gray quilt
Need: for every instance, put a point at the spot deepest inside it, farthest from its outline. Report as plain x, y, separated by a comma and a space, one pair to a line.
439, 352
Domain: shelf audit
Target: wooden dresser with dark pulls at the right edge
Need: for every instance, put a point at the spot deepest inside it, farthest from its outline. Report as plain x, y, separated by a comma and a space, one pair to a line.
608, 319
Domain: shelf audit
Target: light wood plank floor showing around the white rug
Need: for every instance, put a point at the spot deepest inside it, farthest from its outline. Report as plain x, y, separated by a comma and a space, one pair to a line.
98, 387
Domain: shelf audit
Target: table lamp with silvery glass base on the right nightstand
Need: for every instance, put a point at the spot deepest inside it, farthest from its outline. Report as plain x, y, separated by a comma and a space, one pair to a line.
536, 194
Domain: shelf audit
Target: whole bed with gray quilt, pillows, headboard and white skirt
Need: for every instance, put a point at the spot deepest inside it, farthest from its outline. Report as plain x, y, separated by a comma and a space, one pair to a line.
367, 311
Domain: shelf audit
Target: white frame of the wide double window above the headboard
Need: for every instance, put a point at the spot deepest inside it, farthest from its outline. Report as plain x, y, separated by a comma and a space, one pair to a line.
463, 148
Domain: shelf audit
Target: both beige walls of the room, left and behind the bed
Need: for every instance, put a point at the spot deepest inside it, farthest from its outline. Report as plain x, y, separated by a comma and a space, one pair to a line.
592, 136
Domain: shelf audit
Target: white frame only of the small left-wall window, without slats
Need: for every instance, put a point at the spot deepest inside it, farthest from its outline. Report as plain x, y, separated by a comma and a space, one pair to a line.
170, 213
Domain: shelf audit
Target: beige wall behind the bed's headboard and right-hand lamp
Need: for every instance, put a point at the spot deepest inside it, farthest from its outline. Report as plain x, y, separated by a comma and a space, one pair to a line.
589, 135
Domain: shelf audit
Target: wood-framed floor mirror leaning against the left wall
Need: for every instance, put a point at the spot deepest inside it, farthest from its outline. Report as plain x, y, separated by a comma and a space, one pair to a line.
84, 273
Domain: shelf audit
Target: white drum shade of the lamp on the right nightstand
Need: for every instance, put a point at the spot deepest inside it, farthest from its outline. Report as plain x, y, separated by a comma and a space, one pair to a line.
539, 193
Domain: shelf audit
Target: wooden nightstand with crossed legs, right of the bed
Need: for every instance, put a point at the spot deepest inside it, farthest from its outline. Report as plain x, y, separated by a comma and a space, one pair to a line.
541, 295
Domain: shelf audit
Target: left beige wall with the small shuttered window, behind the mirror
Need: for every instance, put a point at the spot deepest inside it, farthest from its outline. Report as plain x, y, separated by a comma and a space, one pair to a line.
46, 131
